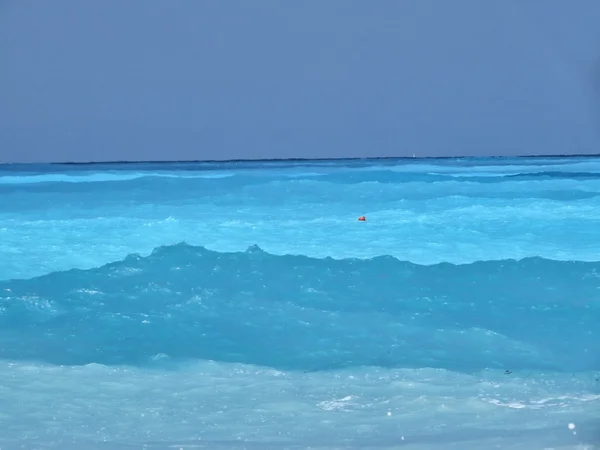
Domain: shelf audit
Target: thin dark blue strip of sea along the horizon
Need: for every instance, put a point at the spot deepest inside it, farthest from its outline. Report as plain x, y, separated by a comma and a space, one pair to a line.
262, 160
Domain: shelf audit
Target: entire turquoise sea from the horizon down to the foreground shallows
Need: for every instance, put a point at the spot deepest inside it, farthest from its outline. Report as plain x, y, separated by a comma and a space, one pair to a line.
242, 305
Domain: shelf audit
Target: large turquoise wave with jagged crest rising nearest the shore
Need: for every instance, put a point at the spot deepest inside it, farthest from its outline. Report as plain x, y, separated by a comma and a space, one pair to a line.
300, 313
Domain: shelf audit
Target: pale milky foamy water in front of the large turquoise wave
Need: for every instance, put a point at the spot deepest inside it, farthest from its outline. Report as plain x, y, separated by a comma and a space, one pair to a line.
216, 405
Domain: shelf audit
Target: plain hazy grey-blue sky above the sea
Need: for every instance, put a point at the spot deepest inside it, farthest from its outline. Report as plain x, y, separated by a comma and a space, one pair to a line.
198, 79
